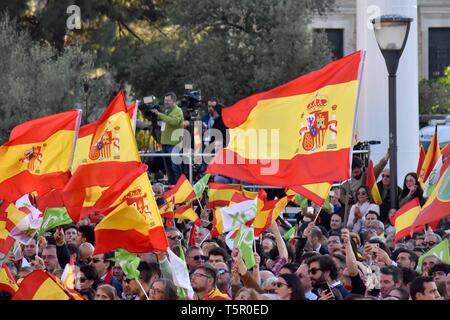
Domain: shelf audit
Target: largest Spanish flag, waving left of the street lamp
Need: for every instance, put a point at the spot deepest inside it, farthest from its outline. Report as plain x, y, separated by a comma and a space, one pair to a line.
296, 134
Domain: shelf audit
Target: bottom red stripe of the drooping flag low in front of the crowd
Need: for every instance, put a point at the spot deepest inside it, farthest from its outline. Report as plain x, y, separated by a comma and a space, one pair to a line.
130, 240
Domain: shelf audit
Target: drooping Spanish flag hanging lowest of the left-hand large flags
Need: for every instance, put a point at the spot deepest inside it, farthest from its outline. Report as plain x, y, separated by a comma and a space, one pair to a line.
135, 223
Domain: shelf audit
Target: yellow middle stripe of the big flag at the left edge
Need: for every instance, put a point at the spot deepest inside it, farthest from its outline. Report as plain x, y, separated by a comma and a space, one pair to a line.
55, 156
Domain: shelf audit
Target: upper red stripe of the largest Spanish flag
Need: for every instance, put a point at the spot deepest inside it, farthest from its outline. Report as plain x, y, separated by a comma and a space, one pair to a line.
339, 71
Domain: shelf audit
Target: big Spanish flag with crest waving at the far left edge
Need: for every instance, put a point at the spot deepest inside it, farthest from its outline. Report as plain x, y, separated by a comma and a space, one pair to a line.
38, 155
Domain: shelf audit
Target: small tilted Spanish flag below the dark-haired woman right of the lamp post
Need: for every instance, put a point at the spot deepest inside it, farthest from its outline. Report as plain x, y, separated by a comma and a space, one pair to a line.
404, 218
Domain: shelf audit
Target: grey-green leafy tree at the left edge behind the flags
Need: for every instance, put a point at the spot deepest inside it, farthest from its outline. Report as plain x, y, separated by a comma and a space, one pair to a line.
37, 80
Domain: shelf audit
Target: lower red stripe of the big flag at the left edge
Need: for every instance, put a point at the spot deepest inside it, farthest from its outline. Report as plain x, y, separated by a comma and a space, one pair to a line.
13, 188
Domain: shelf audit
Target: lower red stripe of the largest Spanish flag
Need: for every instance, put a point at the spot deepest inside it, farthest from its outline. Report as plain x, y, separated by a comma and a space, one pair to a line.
315, 168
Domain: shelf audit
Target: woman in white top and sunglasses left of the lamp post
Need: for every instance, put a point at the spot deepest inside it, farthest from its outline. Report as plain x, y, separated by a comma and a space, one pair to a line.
359, 210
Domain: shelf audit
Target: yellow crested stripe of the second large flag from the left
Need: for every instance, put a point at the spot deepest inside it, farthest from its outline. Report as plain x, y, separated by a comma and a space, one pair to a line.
121, 148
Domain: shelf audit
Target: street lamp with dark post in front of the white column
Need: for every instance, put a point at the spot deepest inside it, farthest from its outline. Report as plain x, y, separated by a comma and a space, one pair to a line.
391, 32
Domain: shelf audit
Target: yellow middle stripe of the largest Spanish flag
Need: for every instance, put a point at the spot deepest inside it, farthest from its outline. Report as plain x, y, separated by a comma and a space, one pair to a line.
292, 112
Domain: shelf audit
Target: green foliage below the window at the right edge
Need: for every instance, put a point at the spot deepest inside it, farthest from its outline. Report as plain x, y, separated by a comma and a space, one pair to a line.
434, 95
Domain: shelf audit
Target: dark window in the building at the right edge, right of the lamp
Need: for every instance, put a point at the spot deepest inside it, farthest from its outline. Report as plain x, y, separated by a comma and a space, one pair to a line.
439, 51
